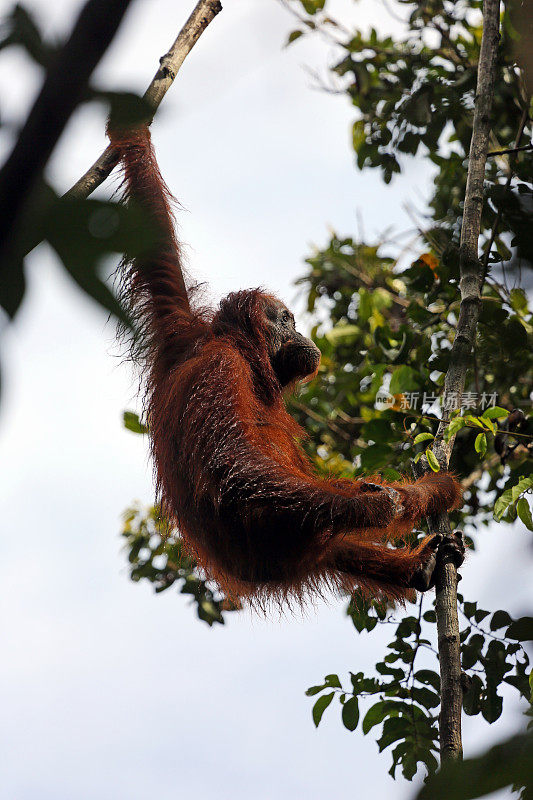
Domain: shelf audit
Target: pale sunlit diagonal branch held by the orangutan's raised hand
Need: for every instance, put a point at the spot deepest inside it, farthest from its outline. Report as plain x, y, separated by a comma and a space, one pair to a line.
204, 12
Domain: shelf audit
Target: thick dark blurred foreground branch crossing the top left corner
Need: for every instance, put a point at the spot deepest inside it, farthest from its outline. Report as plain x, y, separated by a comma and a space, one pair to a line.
63, 89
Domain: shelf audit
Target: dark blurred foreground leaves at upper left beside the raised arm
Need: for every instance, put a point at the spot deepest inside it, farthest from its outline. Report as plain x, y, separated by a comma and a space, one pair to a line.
83, 233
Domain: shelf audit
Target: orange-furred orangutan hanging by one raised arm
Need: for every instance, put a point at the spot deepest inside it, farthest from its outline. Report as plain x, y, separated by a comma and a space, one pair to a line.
231, 474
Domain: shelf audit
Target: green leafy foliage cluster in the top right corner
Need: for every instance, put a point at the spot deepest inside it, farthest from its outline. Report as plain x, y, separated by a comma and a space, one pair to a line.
415, 95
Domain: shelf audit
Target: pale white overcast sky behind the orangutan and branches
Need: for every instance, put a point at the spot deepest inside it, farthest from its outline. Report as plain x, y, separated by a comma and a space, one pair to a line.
109, 691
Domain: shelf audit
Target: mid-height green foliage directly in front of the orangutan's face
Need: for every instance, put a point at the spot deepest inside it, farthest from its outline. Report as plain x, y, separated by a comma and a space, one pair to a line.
385, 350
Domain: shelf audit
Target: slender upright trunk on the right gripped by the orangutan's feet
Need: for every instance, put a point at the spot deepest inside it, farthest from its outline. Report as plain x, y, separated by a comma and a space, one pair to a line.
471, 270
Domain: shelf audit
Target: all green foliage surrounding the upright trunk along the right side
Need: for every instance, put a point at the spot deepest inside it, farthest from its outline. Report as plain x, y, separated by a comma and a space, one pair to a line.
387, 343
